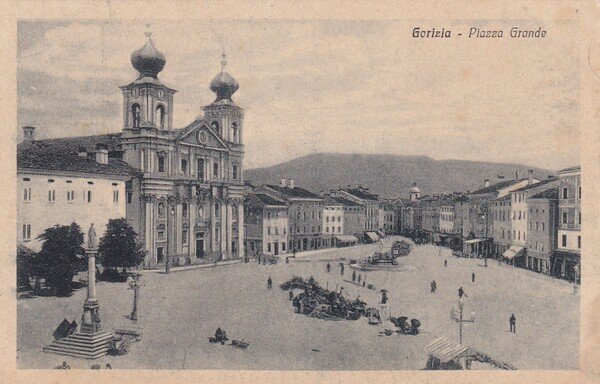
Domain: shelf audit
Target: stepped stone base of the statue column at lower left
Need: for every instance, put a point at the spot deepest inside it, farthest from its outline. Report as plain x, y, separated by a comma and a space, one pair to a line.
82, 345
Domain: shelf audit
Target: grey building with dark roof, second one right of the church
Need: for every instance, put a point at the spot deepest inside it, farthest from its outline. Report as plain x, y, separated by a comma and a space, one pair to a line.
305, 214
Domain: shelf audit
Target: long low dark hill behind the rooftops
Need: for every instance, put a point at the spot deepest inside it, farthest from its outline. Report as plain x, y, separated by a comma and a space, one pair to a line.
390, 176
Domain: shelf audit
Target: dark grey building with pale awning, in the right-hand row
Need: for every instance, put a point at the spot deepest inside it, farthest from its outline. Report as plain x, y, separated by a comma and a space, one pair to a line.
477, 222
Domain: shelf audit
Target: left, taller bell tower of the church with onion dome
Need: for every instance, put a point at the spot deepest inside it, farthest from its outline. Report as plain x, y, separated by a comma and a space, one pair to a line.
147, 103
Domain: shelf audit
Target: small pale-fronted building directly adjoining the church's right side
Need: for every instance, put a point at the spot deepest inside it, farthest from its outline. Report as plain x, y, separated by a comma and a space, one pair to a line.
266, 222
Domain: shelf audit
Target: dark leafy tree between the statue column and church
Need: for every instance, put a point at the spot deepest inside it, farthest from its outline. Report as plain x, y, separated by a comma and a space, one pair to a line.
119, 246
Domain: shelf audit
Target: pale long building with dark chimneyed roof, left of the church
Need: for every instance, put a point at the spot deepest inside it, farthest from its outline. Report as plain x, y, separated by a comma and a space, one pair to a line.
59, 184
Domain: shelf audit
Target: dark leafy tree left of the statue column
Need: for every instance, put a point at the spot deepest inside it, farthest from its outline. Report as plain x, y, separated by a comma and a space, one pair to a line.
62, 256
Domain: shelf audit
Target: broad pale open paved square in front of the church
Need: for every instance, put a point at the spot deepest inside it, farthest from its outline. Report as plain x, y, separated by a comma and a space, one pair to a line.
179, 311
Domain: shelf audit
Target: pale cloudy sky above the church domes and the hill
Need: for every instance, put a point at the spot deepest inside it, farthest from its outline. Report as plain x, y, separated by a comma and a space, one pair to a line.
322, 86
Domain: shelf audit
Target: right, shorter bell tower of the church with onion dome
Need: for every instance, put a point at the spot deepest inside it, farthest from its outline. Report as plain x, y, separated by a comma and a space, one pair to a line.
224, 116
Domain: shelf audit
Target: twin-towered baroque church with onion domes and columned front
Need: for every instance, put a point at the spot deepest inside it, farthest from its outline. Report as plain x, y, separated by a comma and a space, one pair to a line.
188, 205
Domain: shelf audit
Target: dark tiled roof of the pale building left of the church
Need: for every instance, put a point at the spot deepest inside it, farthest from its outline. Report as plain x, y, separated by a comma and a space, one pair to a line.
61, 155
